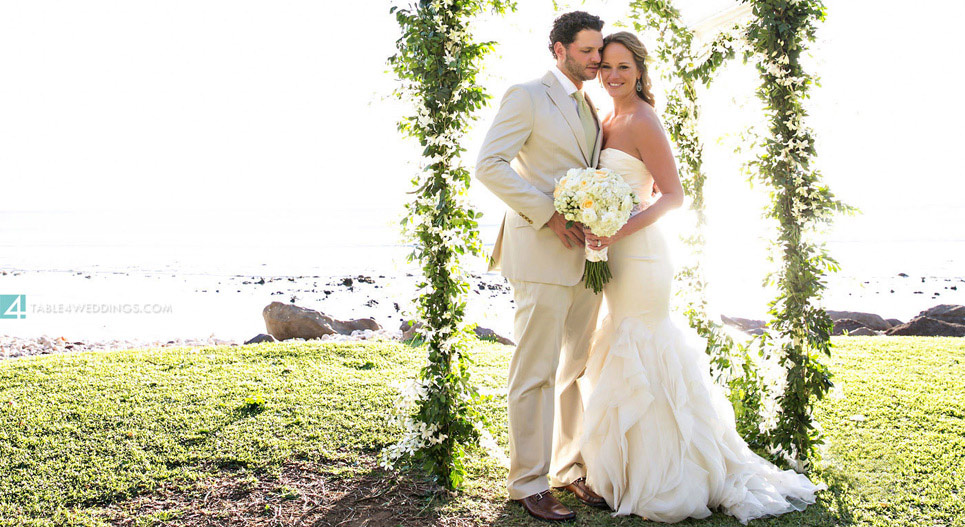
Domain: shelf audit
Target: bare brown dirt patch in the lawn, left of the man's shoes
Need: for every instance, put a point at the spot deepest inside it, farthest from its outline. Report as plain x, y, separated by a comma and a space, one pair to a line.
301, 496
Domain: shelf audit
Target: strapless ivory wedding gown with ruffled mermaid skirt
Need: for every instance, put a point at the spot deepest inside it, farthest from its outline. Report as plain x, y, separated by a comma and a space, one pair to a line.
659, 436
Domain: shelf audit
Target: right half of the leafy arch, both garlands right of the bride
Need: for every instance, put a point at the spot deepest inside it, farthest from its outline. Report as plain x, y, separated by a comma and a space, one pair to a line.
773, 410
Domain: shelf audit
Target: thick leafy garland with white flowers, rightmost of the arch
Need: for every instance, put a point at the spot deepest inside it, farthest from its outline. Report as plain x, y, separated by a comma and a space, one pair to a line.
801, 205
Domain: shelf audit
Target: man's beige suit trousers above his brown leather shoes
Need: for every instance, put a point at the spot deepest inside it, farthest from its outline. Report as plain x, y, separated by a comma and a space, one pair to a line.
553, 328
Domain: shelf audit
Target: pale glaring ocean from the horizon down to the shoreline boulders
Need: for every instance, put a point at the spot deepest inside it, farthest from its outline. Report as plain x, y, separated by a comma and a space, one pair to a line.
180, 258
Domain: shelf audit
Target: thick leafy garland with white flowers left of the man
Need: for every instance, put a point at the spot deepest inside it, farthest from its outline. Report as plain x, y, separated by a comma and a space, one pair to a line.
436, 64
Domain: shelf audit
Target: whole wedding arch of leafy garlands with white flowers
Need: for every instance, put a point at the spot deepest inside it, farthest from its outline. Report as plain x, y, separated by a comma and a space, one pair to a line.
774, 383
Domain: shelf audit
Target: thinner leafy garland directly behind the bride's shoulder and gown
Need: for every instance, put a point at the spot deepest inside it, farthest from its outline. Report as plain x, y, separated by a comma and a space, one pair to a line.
682, 66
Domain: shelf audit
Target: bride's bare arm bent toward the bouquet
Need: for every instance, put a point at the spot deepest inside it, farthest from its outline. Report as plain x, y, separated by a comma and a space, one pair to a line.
654, 148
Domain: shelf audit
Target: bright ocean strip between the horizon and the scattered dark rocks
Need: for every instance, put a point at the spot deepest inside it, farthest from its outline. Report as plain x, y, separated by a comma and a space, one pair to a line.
335, 241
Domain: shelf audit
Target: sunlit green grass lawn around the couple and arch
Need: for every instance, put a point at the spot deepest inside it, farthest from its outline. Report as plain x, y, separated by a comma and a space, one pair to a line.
181, 437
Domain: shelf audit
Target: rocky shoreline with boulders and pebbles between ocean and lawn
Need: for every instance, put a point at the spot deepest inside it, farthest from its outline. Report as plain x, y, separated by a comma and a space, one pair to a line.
375, 306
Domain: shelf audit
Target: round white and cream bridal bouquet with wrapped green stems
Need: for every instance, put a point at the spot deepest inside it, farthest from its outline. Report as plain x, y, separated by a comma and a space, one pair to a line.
602, 201
